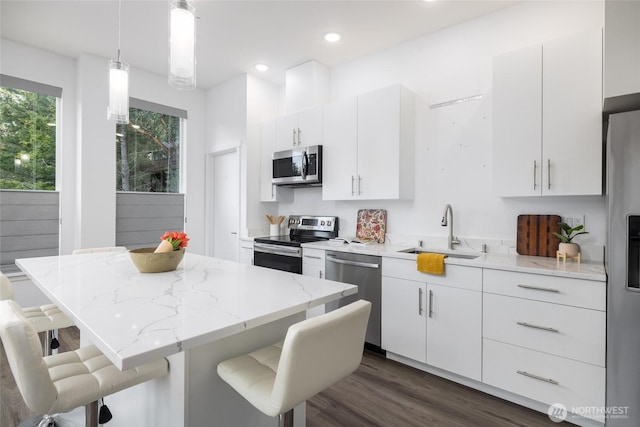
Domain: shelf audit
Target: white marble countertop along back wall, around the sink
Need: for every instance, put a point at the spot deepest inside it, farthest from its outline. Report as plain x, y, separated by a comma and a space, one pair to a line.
519, 263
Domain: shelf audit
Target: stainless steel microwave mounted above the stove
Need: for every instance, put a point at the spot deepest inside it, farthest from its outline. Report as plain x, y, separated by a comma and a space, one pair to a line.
298, 167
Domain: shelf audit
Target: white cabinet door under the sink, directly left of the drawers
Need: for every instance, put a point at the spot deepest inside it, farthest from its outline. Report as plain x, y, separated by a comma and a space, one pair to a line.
454, 330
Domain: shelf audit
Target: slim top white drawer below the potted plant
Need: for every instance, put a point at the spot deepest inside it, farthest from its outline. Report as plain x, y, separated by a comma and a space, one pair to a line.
560, 290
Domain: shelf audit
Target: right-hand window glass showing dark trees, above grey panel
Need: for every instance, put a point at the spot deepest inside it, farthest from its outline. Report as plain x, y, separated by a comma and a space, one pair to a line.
148, 149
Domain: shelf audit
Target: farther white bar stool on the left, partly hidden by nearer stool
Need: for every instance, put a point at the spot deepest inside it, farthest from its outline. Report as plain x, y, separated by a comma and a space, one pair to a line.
46, 318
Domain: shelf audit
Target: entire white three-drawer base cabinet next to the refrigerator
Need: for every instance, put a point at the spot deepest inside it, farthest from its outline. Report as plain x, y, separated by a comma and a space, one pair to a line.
544, 337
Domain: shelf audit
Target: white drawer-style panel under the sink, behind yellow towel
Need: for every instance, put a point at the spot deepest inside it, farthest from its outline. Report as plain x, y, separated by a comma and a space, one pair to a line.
457, 276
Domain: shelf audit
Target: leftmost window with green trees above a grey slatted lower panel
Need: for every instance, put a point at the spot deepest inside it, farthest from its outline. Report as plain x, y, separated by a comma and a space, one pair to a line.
29, 220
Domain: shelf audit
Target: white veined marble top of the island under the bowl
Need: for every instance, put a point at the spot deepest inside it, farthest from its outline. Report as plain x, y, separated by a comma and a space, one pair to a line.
134, 318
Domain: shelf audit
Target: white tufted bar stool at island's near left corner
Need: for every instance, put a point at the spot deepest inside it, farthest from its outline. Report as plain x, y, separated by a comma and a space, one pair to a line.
65, 381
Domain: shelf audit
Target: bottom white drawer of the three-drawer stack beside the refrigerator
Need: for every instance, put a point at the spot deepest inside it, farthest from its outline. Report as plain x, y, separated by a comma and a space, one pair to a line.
543, 377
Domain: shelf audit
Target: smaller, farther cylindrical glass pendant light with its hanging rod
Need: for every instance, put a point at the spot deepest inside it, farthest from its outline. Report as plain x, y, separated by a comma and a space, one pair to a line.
119, 84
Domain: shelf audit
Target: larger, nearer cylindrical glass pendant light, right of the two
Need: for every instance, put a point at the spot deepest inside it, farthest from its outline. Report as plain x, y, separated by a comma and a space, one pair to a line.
182, 44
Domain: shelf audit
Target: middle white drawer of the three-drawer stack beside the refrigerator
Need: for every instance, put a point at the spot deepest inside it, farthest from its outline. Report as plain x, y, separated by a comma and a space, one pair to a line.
575, 333
